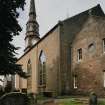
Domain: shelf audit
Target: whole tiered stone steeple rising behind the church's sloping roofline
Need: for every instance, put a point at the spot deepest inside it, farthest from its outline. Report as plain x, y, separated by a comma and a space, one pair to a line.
32, 28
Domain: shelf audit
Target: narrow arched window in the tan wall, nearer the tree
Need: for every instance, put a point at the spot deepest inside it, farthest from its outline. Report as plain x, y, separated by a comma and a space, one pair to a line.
29, 72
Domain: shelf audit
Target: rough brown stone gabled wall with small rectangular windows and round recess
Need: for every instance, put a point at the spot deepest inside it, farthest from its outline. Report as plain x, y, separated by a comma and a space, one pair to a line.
89, 70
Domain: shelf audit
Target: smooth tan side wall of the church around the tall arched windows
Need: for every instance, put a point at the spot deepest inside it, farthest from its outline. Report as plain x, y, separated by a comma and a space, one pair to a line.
50, 45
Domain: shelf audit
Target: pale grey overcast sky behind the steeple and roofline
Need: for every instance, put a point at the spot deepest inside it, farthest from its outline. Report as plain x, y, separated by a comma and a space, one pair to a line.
49, 12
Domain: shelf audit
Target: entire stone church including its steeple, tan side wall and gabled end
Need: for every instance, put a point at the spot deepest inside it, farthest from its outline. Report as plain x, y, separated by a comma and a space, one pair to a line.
69, 59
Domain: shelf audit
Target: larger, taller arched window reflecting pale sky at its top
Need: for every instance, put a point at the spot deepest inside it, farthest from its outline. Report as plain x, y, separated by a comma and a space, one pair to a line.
42, 69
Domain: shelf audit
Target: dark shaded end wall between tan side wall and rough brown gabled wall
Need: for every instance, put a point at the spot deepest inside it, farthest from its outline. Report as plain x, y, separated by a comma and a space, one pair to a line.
69, 28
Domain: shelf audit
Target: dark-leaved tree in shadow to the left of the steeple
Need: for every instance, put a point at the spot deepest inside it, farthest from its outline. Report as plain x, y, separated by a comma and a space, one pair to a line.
9, 28
